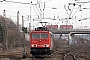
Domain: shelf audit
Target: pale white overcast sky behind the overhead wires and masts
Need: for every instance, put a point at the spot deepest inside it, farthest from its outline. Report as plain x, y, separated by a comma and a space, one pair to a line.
60, 12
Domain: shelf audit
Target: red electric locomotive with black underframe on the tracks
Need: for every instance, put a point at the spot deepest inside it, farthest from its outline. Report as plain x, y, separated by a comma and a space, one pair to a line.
41, 41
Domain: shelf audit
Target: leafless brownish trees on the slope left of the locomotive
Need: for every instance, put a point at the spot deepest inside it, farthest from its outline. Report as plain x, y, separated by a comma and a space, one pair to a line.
12, 32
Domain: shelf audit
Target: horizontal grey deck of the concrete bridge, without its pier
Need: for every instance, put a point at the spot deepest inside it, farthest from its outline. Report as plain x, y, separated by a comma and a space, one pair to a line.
72, 31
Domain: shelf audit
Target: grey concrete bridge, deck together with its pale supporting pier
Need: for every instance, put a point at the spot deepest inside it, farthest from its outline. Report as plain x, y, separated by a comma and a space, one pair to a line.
71, 33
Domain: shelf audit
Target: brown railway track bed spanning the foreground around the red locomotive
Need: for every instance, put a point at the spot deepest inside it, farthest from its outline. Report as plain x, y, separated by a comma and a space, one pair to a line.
67, 53
